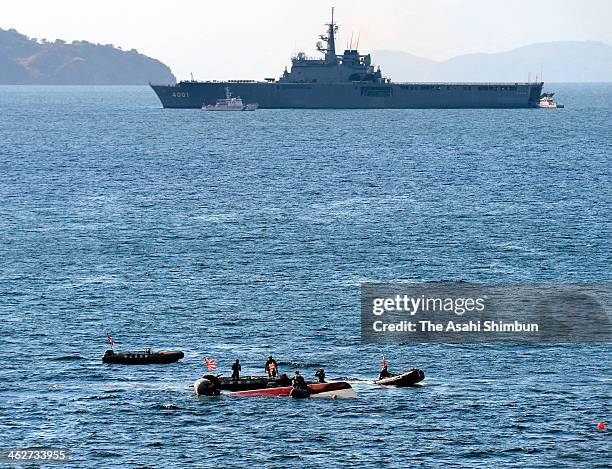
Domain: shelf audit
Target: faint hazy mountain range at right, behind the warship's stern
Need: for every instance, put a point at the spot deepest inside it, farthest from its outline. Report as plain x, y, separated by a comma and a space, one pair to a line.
566, 61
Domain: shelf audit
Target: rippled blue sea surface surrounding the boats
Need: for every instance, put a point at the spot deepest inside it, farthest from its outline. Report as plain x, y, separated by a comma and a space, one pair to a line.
239, 235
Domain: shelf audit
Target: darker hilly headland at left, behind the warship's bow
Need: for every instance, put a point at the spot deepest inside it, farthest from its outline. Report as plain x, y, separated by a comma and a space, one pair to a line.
28, 61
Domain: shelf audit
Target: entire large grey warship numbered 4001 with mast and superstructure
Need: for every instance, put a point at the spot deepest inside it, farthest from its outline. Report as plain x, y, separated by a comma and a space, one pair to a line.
347, 81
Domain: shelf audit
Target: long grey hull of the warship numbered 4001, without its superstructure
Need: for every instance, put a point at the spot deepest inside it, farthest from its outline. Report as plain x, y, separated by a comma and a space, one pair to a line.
354, 95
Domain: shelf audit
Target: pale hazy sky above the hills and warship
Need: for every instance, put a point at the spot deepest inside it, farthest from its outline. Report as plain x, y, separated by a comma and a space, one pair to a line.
254, 39
